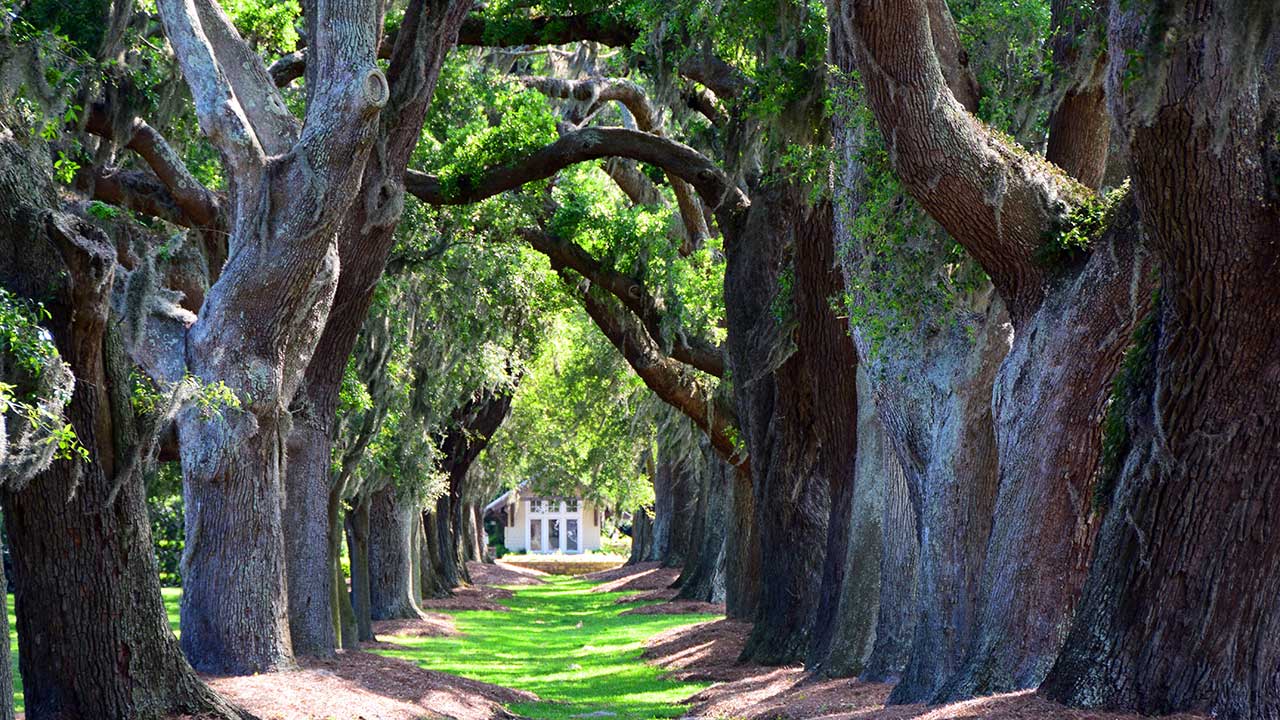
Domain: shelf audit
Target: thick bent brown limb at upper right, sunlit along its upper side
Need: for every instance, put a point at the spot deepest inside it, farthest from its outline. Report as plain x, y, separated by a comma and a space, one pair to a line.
996, 199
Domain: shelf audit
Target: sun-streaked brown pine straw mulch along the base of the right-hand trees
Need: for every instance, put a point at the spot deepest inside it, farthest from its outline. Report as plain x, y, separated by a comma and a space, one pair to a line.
710, 651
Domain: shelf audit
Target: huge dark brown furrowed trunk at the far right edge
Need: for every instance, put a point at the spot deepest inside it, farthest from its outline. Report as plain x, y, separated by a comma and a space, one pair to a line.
1182, 605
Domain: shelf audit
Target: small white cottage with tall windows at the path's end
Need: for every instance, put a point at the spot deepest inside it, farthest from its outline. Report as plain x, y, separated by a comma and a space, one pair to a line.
541, 525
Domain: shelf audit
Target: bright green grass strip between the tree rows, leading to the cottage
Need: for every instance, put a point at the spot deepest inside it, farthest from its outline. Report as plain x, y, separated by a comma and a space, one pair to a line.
572, 646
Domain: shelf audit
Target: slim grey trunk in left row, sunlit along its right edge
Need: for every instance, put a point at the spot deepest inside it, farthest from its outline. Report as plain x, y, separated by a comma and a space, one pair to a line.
392, 525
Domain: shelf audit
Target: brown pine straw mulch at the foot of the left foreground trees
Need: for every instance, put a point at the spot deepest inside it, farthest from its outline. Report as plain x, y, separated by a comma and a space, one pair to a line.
363, 686
